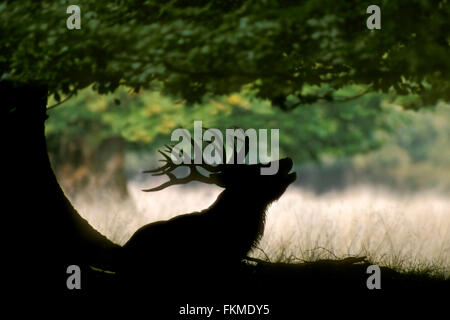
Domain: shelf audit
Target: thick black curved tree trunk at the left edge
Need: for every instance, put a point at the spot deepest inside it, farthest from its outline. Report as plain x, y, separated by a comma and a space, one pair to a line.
44, 233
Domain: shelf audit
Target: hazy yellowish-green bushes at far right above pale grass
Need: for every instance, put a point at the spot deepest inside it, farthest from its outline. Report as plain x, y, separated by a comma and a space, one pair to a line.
417, 154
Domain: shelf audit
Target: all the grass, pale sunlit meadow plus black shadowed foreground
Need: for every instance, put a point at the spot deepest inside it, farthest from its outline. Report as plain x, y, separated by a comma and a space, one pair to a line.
310, 259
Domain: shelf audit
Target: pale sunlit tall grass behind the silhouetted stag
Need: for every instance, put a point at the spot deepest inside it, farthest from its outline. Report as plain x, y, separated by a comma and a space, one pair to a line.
409, 232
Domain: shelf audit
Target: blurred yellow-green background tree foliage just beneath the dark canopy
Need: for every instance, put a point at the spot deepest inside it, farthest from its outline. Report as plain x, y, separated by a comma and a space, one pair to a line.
146, 121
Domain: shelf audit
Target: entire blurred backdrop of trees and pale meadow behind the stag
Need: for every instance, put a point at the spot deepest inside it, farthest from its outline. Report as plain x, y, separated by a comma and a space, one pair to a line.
373, 177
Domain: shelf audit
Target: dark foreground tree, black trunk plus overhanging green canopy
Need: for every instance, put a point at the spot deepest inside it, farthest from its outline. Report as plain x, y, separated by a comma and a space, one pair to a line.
190, 49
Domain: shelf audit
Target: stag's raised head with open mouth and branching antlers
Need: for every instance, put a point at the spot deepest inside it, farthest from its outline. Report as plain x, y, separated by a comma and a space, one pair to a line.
233, 176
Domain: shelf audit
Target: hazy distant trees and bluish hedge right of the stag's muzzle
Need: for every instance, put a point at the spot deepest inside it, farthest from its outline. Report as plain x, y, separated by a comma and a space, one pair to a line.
414, 157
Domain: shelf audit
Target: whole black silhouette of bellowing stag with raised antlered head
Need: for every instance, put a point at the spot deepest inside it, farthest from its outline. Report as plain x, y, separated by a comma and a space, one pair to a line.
218, 237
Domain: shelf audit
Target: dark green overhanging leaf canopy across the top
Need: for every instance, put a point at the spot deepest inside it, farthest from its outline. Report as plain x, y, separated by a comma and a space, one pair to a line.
191, 48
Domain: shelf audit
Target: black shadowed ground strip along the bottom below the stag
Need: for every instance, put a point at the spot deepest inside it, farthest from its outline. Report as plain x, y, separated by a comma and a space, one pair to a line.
325, 288
